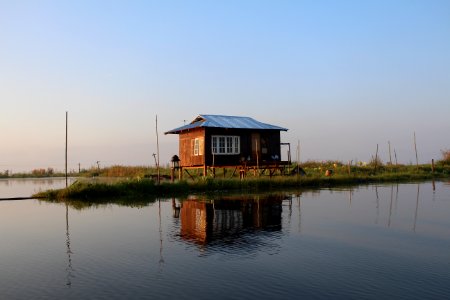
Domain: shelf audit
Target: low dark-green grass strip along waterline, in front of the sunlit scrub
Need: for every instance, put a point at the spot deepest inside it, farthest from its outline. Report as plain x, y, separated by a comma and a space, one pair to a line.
144, 188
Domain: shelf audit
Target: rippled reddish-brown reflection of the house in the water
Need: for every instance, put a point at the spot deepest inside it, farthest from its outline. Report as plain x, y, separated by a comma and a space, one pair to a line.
227, 218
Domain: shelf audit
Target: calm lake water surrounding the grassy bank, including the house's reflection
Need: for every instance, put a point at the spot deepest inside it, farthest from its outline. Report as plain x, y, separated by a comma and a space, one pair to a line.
370, 242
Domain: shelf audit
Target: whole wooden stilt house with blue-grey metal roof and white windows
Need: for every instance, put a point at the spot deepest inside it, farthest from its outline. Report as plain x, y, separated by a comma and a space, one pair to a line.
239, 143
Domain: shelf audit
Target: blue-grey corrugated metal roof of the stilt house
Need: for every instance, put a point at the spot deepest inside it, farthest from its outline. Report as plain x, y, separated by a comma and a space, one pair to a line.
220, 121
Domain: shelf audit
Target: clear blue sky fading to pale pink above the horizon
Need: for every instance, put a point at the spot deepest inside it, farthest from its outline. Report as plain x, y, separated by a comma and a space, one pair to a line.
342, 76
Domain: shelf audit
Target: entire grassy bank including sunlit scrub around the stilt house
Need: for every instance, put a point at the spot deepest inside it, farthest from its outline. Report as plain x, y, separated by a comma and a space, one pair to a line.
133, 182
